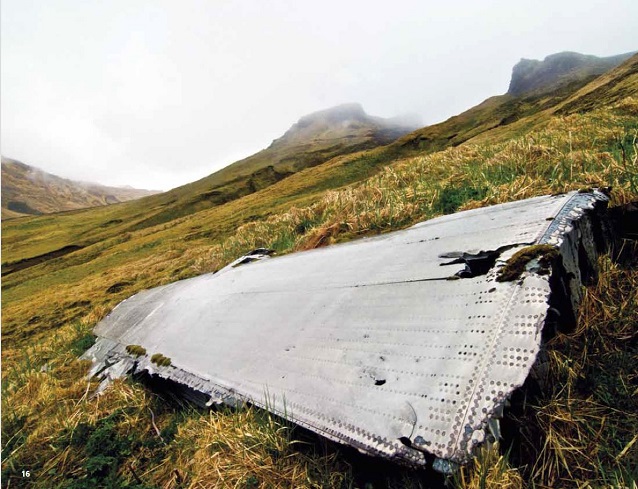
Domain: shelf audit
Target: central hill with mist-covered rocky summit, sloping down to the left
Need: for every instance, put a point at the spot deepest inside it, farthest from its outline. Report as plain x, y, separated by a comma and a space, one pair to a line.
313, 140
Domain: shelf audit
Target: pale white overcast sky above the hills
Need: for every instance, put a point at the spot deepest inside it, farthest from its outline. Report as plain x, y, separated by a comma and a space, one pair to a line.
155, 94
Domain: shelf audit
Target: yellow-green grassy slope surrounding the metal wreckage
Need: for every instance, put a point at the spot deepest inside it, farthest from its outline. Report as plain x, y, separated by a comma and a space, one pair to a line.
581, 429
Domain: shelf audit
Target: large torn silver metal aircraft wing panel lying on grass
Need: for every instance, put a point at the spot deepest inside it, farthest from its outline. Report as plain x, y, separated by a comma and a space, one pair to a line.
371, 343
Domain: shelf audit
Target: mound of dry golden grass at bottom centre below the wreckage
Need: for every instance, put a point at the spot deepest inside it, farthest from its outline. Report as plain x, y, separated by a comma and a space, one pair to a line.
249, 448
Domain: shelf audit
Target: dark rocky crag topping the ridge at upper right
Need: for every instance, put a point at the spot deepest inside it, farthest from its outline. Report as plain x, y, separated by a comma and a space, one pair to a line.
556, 70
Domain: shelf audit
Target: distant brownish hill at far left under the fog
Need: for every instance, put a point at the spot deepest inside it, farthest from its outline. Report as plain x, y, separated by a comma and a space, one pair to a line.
29, 191
